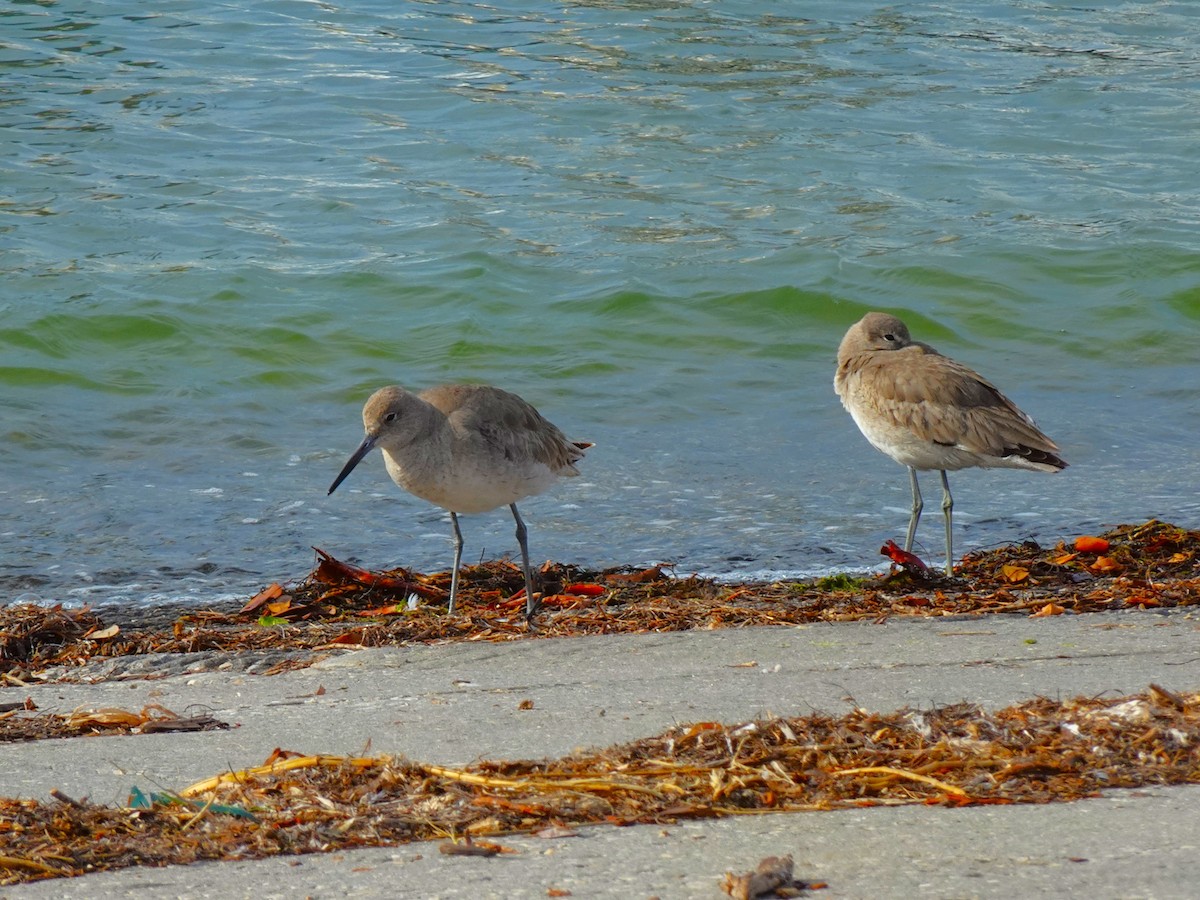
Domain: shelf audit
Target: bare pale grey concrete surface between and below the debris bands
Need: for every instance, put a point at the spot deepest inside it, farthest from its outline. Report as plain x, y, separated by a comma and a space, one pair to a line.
455, 704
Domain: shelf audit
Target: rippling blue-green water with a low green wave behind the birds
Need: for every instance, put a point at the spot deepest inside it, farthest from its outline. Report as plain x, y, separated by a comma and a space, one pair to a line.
223, 227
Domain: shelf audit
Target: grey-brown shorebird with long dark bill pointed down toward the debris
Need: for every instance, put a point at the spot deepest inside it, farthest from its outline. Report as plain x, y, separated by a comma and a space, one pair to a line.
467, 448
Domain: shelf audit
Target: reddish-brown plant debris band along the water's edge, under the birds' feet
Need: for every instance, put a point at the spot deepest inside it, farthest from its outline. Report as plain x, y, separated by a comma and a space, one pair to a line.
341, 607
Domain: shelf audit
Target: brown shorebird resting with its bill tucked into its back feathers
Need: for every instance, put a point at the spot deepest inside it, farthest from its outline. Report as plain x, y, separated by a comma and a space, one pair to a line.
928, 412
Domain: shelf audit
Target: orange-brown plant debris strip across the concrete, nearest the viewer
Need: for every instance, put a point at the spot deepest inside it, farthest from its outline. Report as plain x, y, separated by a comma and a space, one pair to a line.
962, 755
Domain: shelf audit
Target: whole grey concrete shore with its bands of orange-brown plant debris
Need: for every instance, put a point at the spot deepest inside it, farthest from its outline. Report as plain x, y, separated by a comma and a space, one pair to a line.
361, 701
